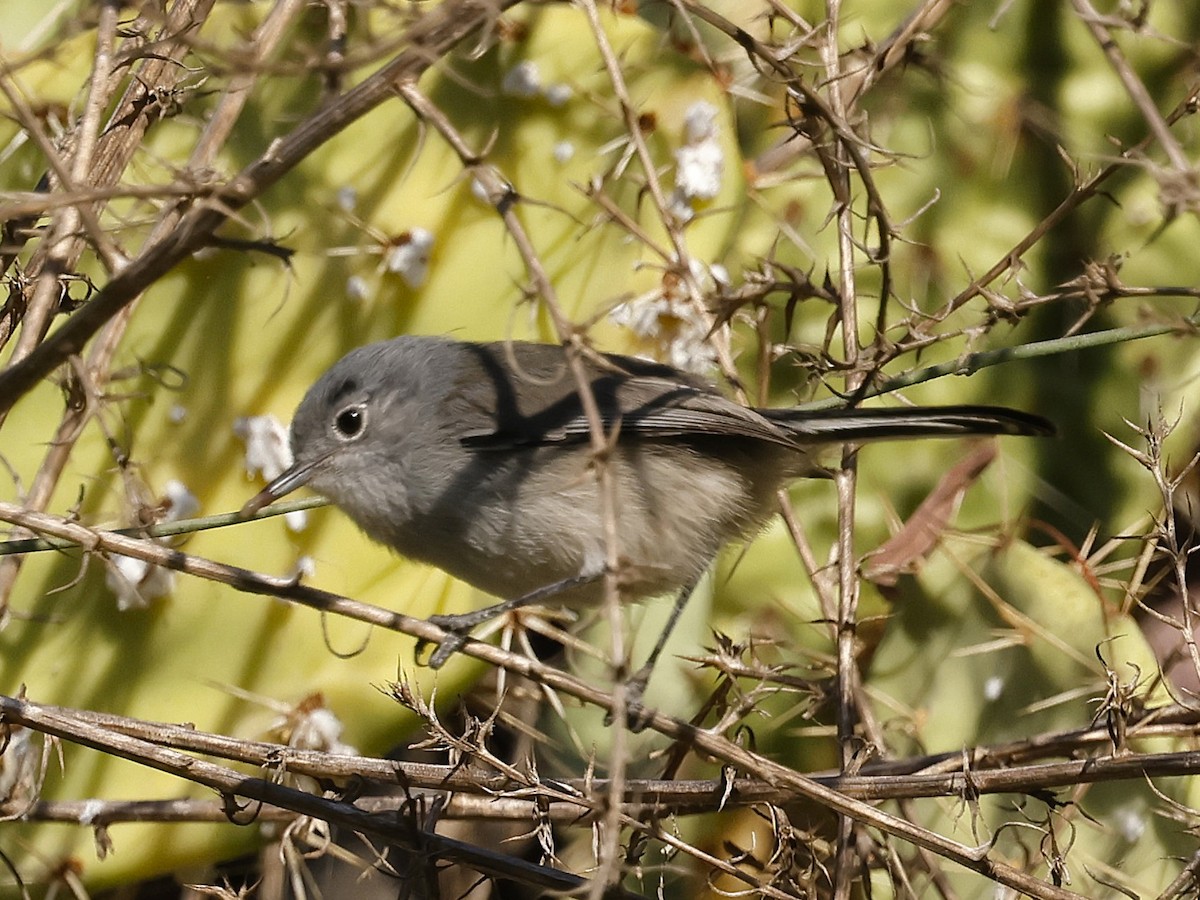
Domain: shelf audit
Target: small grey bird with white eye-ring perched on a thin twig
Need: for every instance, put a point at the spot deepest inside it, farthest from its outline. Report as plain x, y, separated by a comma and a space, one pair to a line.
476, 458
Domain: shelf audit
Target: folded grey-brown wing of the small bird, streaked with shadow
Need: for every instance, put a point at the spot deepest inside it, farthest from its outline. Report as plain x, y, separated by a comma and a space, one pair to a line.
517, 394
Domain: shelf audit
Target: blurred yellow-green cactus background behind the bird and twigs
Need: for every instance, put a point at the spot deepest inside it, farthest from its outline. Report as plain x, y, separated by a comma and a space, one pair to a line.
979, 125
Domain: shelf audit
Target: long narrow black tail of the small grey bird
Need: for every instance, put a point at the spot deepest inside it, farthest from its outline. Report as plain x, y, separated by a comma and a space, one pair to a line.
893, 423
